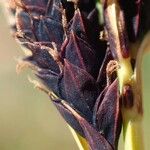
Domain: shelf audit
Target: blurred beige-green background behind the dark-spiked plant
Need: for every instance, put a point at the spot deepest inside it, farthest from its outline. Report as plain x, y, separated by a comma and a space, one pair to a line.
28, 120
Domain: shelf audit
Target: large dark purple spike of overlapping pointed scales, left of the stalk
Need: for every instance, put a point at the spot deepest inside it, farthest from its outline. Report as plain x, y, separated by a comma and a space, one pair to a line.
71, 60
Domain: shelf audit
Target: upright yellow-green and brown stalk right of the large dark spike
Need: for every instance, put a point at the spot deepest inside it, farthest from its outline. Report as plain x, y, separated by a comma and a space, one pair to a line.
132, 114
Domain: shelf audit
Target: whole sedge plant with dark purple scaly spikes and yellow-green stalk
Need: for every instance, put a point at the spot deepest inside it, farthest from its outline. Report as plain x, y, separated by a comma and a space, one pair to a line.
87, 55
